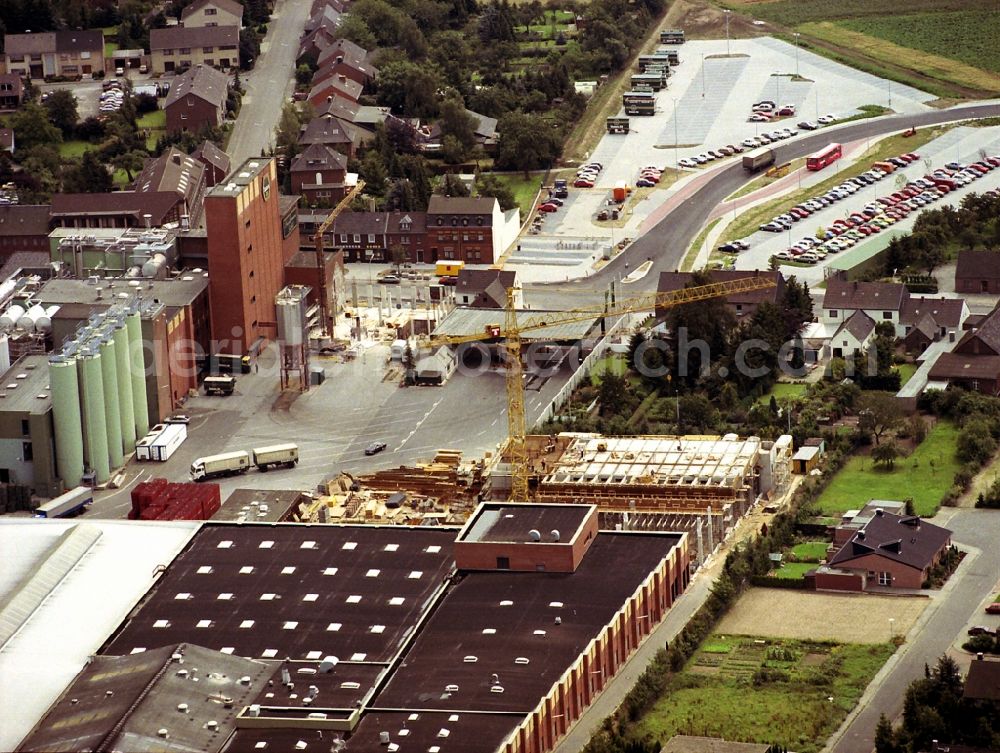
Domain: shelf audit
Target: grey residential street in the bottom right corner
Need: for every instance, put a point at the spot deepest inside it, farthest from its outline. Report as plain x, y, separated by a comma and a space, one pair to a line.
944, 621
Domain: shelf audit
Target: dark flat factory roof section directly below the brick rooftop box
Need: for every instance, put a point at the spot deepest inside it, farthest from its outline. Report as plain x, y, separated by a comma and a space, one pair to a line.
521, 608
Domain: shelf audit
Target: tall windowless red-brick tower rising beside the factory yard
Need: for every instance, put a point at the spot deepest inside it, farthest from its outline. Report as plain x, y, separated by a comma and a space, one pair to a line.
246, 260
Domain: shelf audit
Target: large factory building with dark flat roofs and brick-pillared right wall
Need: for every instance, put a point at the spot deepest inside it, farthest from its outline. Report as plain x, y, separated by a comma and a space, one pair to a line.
343, 637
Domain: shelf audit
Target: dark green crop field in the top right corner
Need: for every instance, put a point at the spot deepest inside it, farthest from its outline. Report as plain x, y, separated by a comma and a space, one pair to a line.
969, 36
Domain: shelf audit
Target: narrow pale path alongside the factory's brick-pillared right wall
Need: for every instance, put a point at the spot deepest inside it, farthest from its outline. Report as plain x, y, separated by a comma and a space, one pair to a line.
677, 618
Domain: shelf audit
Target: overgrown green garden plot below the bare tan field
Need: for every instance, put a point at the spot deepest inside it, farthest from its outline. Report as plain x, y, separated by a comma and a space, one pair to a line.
764, 690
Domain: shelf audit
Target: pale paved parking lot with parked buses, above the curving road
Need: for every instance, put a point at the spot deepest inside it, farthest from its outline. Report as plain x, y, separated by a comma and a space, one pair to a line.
705, 106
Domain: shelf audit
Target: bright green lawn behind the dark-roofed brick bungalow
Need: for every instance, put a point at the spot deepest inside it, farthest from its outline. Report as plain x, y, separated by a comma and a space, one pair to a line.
926, 476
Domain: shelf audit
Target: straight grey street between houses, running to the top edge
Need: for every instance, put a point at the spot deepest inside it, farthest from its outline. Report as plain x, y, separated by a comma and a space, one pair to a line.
269, 85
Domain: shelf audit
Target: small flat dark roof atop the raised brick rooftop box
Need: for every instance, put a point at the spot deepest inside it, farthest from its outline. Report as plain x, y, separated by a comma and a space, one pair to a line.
512, 523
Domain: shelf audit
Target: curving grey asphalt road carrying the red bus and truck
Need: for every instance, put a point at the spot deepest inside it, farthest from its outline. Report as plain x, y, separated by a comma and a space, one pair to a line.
668, 241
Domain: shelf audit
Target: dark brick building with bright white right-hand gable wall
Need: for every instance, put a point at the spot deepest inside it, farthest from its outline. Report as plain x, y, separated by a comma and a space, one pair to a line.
469, 229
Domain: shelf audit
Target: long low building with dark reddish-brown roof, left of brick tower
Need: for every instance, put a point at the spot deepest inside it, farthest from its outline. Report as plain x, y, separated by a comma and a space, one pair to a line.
115, 209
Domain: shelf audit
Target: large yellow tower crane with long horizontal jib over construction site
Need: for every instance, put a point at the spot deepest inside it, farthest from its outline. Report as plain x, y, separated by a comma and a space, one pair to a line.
514, 326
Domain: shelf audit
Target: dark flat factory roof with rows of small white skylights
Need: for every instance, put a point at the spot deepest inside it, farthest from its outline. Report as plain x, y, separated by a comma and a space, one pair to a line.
277, 591
